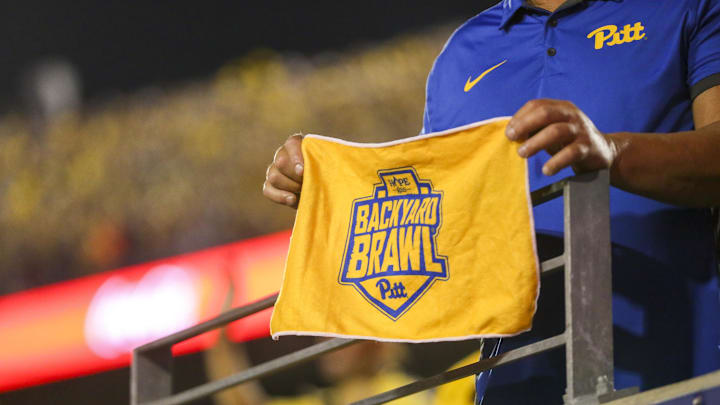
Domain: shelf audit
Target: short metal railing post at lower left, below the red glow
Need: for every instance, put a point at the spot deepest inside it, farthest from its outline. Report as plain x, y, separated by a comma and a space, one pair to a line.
151, 375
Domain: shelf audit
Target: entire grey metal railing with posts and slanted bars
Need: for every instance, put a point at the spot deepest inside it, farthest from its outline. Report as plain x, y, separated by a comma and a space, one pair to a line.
588, 318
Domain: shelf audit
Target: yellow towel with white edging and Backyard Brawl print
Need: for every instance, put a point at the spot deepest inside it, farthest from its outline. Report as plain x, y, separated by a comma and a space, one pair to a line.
428, 238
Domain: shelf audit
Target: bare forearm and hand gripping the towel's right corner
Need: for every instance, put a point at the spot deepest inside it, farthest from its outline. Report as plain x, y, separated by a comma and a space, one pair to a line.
680, 168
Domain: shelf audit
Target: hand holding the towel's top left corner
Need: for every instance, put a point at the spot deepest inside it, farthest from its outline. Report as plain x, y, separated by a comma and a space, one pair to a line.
283, 179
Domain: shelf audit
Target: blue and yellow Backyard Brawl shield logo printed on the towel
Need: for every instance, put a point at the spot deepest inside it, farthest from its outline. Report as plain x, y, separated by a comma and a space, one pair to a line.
391, 255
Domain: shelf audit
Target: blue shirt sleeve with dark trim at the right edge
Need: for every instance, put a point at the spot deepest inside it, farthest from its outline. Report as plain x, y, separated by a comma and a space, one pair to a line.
704, 48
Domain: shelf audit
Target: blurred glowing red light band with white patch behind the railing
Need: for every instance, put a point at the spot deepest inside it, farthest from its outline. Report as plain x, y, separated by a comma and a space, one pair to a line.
91, 324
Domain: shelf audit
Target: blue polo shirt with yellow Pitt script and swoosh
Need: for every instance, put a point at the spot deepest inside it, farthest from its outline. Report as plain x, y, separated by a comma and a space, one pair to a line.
630, 65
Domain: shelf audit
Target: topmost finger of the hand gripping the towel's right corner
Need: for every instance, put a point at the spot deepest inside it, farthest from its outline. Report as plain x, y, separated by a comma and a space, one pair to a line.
535, 115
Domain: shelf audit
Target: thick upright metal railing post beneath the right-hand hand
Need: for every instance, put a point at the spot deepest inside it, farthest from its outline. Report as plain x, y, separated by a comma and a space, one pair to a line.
588, 289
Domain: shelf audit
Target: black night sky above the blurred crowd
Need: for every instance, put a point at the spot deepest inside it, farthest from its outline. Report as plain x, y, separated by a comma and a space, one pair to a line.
123, 45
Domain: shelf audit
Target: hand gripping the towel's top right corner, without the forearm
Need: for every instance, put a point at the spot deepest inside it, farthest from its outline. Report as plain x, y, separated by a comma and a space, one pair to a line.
565, 132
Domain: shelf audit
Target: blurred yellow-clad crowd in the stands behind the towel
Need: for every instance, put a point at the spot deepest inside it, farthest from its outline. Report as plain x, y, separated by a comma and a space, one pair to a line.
161, 172
